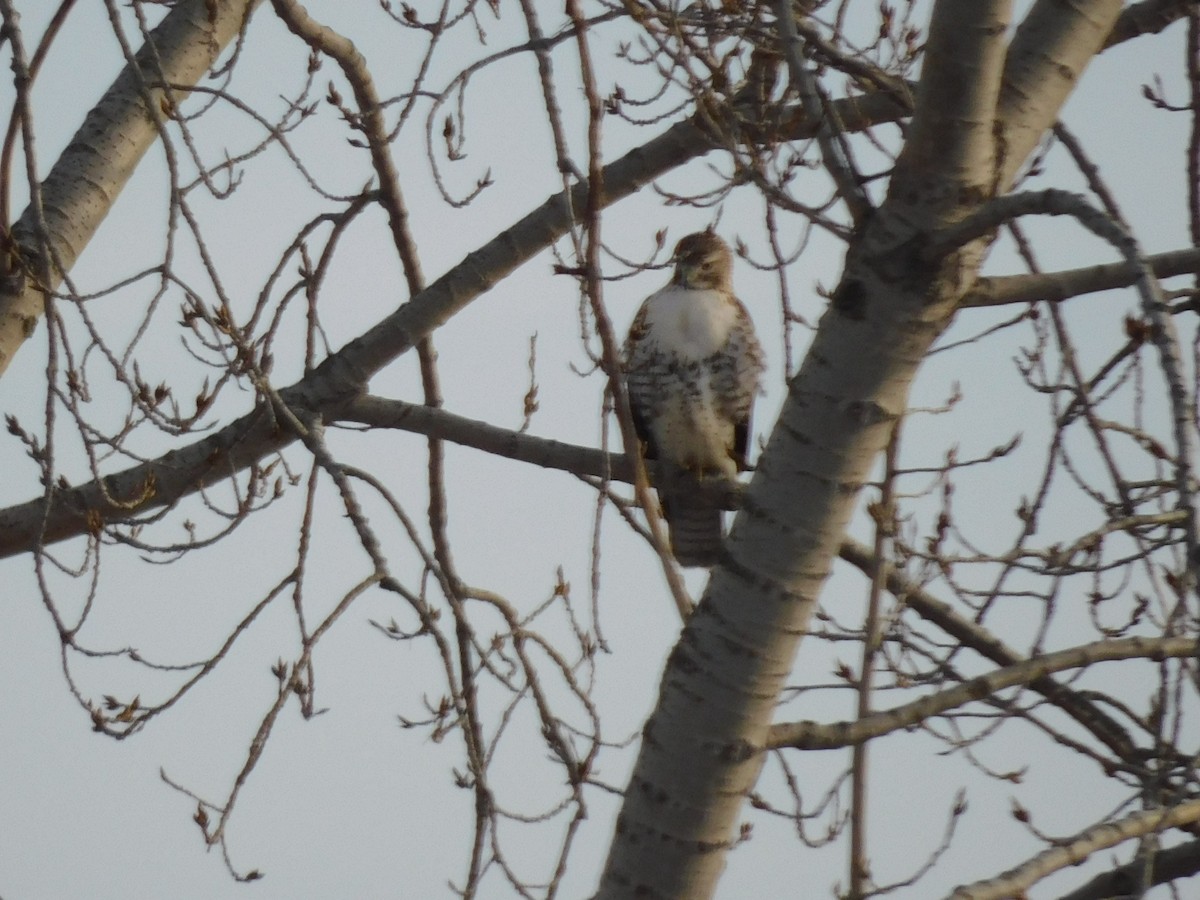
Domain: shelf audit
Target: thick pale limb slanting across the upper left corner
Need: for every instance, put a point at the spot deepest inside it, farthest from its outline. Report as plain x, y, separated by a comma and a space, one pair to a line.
94, 170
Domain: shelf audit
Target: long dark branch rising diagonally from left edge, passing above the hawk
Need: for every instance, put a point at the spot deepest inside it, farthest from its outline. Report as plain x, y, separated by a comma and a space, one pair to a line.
340, 379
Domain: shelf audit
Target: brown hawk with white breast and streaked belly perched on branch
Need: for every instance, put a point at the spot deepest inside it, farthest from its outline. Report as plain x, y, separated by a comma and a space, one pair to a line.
694, 367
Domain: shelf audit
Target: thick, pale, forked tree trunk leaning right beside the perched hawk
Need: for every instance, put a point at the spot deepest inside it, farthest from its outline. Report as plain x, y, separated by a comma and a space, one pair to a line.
723, 681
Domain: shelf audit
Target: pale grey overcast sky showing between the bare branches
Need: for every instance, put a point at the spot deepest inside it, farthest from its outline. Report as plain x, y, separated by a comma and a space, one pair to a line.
349, 803
